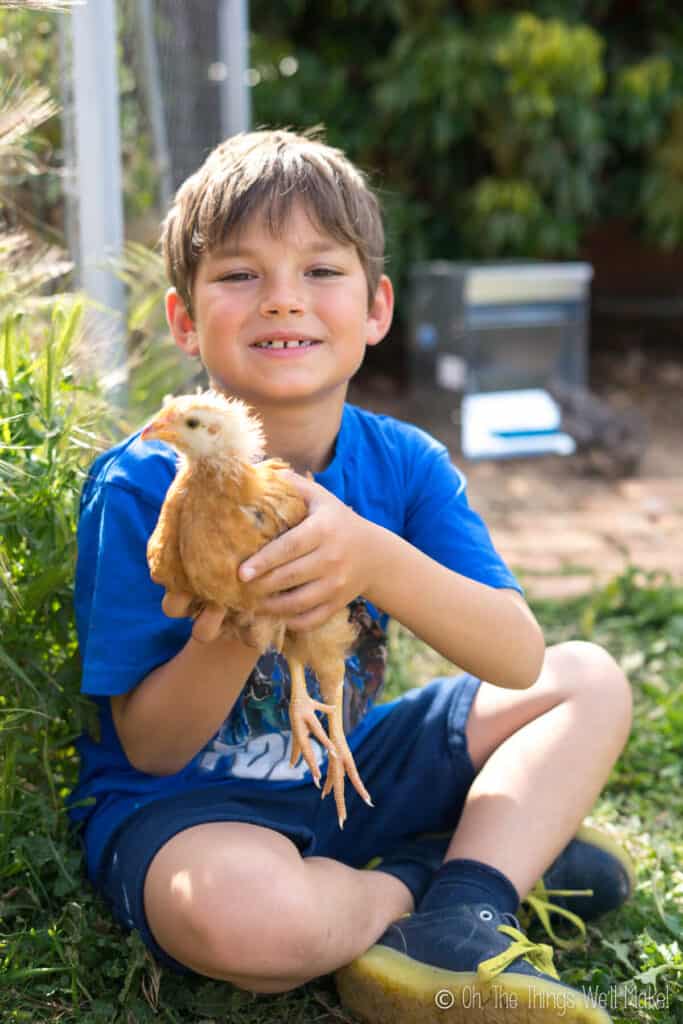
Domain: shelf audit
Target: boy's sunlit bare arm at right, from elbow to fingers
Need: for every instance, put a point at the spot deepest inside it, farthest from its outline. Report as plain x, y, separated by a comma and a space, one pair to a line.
319, 567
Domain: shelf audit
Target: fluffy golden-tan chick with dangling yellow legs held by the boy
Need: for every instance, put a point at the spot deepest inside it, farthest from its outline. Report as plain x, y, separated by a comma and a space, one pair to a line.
224, 506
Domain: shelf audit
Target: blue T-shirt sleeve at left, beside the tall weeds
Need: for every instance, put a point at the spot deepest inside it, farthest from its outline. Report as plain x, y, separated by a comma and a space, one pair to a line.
123, 632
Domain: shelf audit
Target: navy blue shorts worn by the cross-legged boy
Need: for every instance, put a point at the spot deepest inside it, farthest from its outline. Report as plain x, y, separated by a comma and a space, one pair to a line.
415, 764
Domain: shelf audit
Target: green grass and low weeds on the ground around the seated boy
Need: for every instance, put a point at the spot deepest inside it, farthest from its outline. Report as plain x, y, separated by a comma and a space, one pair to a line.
63, 961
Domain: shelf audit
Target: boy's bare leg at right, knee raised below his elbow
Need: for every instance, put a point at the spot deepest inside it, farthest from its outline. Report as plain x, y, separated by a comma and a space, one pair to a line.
544, 755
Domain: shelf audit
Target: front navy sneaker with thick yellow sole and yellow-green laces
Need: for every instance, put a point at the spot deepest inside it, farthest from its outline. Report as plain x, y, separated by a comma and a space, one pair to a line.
469, 965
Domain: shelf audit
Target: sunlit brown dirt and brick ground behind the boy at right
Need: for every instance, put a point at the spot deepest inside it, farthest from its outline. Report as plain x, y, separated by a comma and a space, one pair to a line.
563, 526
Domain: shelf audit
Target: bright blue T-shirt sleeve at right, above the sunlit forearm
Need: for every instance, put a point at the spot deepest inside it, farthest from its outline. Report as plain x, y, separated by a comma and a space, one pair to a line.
441, 523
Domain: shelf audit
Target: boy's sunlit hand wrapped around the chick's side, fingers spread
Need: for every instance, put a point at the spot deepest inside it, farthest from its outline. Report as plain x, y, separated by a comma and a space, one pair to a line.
316, 569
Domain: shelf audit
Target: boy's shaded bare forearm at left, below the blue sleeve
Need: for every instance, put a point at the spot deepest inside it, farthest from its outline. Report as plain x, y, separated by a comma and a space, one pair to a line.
166, 720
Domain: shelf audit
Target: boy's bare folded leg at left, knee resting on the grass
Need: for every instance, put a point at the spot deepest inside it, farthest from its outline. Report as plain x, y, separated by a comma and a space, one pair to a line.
237, 903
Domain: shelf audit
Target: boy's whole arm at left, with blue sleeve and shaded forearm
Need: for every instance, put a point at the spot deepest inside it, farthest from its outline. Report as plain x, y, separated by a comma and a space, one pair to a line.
169, 693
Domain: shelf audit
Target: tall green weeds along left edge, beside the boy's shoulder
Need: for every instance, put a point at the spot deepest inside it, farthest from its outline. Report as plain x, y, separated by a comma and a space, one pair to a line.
49, 426
